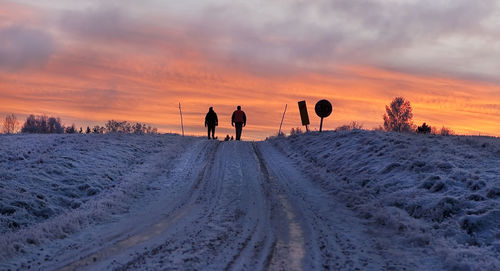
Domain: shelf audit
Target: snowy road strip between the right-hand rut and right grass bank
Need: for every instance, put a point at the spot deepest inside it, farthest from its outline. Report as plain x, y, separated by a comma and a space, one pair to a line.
335, 238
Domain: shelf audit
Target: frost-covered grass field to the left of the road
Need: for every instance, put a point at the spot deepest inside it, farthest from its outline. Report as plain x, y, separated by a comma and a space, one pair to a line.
54, 185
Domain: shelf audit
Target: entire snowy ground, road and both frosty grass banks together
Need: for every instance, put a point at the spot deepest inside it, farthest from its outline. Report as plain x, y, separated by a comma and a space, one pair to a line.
357, 200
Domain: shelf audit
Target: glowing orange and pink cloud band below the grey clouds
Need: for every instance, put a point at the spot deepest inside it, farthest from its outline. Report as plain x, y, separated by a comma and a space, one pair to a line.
141, 72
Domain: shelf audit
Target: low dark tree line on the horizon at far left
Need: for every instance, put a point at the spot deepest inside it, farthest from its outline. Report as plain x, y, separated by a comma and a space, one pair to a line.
41, 124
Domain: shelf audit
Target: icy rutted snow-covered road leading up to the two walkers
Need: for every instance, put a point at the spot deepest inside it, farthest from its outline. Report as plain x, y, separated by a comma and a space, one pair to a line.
232, 206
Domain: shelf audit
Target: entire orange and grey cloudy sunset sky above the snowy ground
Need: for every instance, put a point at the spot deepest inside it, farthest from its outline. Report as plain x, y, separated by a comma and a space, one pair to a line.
91, 61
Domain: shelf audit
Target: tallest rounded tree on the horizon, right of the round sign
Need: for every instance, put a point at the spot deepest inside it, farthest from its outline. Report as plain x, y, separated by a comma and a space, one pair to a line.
399, 115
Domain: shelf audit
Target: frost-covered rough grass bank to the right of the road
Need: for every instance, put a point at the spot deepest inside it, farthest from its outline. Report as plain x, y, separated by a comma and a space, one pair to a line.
437, 193
